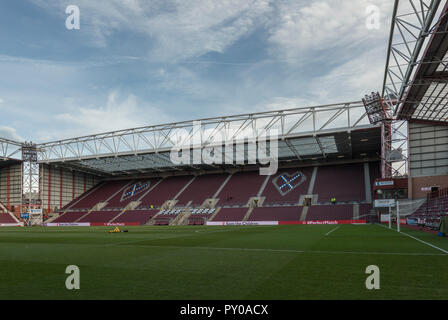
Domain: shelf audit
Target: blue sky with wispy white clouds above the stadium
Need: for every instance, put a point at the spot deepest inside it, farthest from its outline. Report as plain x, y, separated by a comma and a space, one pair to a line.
143, 62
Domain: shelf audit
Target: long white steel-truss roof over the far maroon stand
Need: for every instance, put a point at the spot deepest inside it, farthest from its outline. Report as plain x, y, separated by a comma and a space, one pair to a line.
320, 133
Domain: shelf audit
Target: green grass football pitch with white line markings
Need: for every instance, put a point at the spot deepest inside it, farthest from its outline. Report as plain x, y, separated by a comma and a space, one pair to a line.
263, 262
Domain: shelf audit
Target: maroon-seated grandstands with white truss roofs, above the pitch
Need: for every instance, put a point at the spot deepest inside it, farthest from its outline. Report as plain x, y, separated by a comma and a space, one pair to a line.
334, 161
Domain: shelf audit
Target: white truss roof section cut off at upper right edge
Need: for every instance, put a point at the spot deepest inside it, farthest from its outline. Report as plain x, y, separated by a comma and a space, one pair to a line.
416, 73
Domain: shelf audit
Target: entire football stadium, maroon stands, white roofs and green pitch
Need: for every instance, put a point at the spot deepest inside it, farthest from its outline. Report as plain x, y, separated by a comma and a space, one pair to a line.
286, 204
